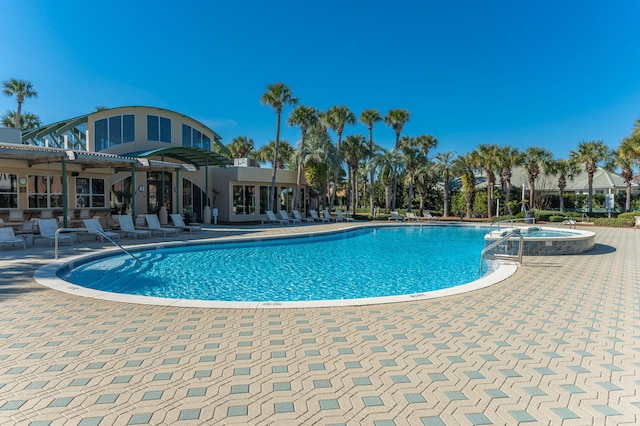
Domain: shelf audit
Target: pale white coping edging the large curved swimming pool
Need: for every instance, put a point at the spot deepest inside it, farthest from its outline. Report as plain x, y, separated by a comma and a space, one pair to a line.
47, 276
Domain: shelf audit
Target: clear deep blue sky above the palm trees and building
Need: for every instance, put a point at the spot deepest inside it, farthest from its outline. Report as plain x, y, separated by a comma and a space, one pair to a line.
522, 73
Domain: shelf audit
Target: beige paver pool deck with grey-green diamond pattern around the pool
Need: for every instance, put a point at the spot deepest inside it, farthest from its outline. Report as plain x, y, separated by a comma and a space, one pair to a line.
556, 343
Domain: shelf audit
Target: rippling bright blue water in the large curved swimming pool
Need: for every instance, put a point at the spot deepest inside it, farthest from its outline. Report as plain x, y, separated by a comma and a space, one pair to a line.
370, 262
